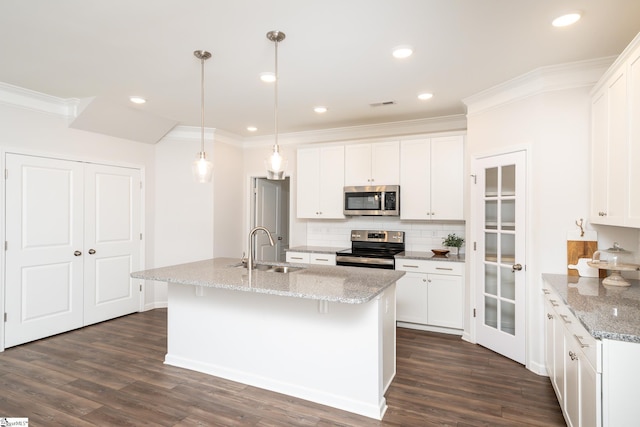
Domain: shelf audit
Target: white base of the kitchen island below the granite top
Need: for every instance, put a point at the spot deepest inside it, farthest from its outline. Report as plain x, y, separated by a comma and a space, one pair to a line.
340, 355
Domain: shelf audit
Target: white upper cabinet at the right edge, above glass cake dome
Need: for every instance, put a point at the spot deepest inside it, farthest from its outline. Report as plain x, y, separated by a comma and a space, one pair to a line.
615, 143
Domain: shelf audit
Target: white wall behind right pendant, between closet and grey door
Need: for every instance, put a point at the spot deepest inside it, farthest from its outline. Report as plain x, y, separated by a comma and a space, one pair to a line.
196, 221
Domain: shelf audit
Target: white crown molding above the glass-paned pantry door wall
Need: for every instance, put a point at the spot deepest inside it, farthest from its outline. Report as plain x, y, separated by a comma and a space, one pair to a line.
541, 80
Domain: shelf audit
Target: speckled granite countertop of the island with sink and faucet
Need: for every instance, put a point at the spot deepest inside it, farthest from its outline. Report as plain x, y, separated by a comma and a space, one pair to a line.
349, 285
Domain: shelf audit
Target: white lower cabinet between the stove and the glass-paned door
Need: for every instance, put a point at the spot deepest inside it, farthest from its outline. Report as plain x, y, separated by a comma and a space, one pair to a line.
430, 294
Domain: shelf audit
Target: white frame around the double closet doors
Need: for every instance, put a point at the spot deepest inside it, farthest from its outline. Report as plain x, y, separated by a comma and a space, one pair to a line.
4, 150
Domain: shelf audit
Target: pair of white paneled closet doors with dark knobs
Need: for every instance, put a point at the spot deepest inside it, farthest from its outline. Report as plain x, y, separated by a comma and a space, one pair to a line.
73, 238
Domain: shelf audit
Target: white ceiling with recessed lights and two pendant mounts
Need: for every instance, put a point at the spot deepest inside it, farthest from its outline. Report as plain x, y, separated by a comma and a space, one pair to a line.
337, 53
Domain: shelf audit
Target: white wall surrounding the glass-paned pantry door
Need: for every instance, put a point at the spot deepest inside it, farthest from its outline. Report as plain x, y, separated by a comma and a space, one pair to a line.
554, 126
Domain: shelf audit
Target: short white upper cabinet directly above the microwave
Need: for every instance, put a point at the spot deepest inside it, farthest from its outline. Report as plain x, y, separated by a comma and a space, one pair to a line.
372, 164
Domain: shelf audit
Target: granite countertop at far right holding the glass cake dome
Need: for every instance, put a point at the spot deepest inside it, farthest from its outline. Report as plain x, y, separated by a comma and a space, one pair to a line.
607, 312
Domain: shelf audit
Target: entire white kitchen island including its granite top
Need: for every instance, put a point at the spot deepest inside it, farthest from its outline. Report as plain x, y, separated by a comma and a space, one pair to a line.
325, 334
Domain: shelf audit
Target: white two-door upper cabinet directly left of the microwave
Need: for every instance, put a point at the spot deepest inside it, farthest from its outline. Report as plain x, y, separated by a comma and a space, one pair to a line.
320, 182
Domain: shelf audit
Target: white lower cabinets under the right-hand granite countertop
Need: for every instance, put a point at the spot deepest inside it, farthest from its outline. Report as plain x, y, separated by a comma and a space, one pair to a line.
573, 359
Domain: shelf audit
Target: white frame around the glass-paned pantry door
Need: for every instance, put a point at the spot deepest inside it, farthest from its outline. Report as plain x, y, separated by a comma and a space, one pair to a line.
473, 227
